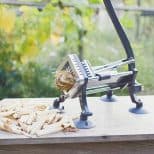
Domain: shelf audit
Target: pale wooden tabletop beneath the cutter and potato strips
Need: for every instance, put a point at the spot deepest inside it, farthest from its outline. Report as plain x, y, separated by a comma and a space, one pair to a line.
113, 123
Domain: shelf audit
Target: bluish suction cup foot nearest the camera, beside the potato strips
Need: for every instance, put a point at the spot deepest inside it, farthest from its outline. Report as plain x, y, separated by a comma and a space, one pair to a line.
83, 124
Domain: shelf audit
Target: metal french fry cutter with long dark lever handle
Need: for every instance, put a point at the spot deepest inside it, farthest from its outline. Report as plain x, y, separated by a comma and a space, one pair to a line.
101, 78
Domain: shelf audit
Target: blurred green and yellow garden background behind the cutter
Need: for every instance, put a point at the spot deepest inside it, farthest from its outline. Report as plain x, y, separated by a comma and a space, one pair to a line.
35, 36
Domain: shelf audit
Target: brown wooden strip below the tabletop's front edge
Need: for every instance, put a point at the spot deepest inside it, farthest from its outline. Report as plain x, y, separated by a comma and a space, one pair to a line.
82, 148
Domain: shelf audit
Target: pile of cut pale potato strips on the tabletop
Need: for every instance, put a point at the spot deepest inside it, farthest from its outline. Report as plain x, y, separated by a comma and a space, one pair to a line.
33, 119
